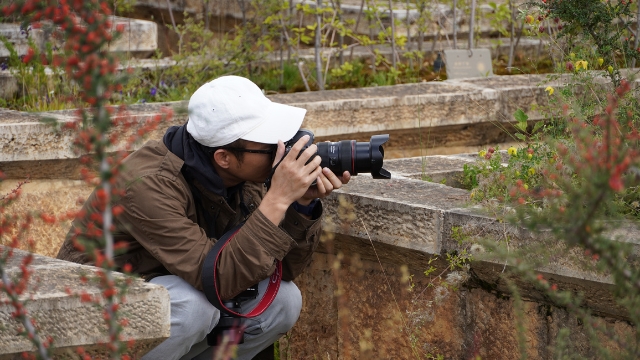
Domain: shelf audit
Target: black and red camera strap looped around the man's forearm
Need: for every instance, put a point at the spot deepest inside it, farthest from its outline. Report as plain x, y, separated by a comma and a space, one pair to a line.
210, 275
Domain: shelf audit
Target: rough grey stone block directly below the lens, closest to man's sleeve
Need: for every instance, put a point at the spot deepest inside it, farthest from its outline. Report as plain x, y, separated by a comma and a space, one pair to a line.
412, 220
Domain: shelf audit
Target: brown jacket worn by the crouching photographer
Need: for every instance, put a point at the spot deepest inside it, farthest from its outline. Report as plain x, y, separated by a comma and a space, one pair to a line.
164, 227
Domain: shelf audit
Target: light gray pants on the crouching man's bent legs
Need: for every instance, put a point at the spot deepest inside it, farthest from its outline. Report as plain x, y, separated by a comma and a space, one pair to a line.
193, 317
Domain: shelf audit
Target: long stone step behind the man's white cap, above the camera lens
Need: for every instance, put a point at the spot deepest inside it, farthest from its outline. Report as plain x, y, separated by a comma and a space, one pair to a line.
422, 119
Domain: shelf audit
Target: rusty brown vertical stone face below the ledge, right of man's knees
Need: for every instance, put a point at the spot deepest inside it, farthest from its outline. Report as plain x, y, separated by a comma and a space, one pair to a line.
356, 308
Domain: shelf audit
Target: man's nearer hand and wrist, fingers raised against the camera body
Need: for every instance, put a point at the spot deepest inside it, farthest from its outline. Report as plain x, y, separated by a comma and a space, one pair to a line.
291, 179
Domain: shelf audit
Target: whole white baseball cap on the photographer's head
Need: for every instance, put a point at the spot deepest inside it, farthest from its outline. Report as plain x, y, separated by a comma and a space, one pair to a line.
232, 107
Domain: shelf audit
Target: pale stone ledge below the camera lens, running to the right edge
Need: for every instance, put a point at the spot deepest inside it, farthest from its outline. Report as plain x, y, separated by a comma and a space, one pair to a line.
417, 217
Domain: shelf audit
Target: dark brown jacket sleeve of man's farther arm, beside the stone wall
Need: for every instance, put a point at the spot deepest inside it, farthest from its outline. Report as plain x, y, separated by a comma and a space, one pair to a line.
306, 234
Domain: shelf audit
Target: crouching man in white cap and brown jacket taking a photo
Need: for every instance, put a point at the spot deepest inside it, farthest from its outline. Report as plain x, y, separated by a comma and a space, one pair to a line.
200, 181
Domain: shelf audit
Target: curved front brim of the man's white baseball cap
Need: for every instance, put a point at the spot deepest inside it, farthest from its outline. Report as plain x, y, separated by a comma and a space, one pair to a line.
282, 123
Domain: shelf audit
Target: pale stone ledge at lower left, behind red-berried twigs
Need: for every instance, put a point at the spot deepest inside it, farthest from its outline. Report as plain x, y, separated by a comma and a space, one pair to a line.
73, 323
